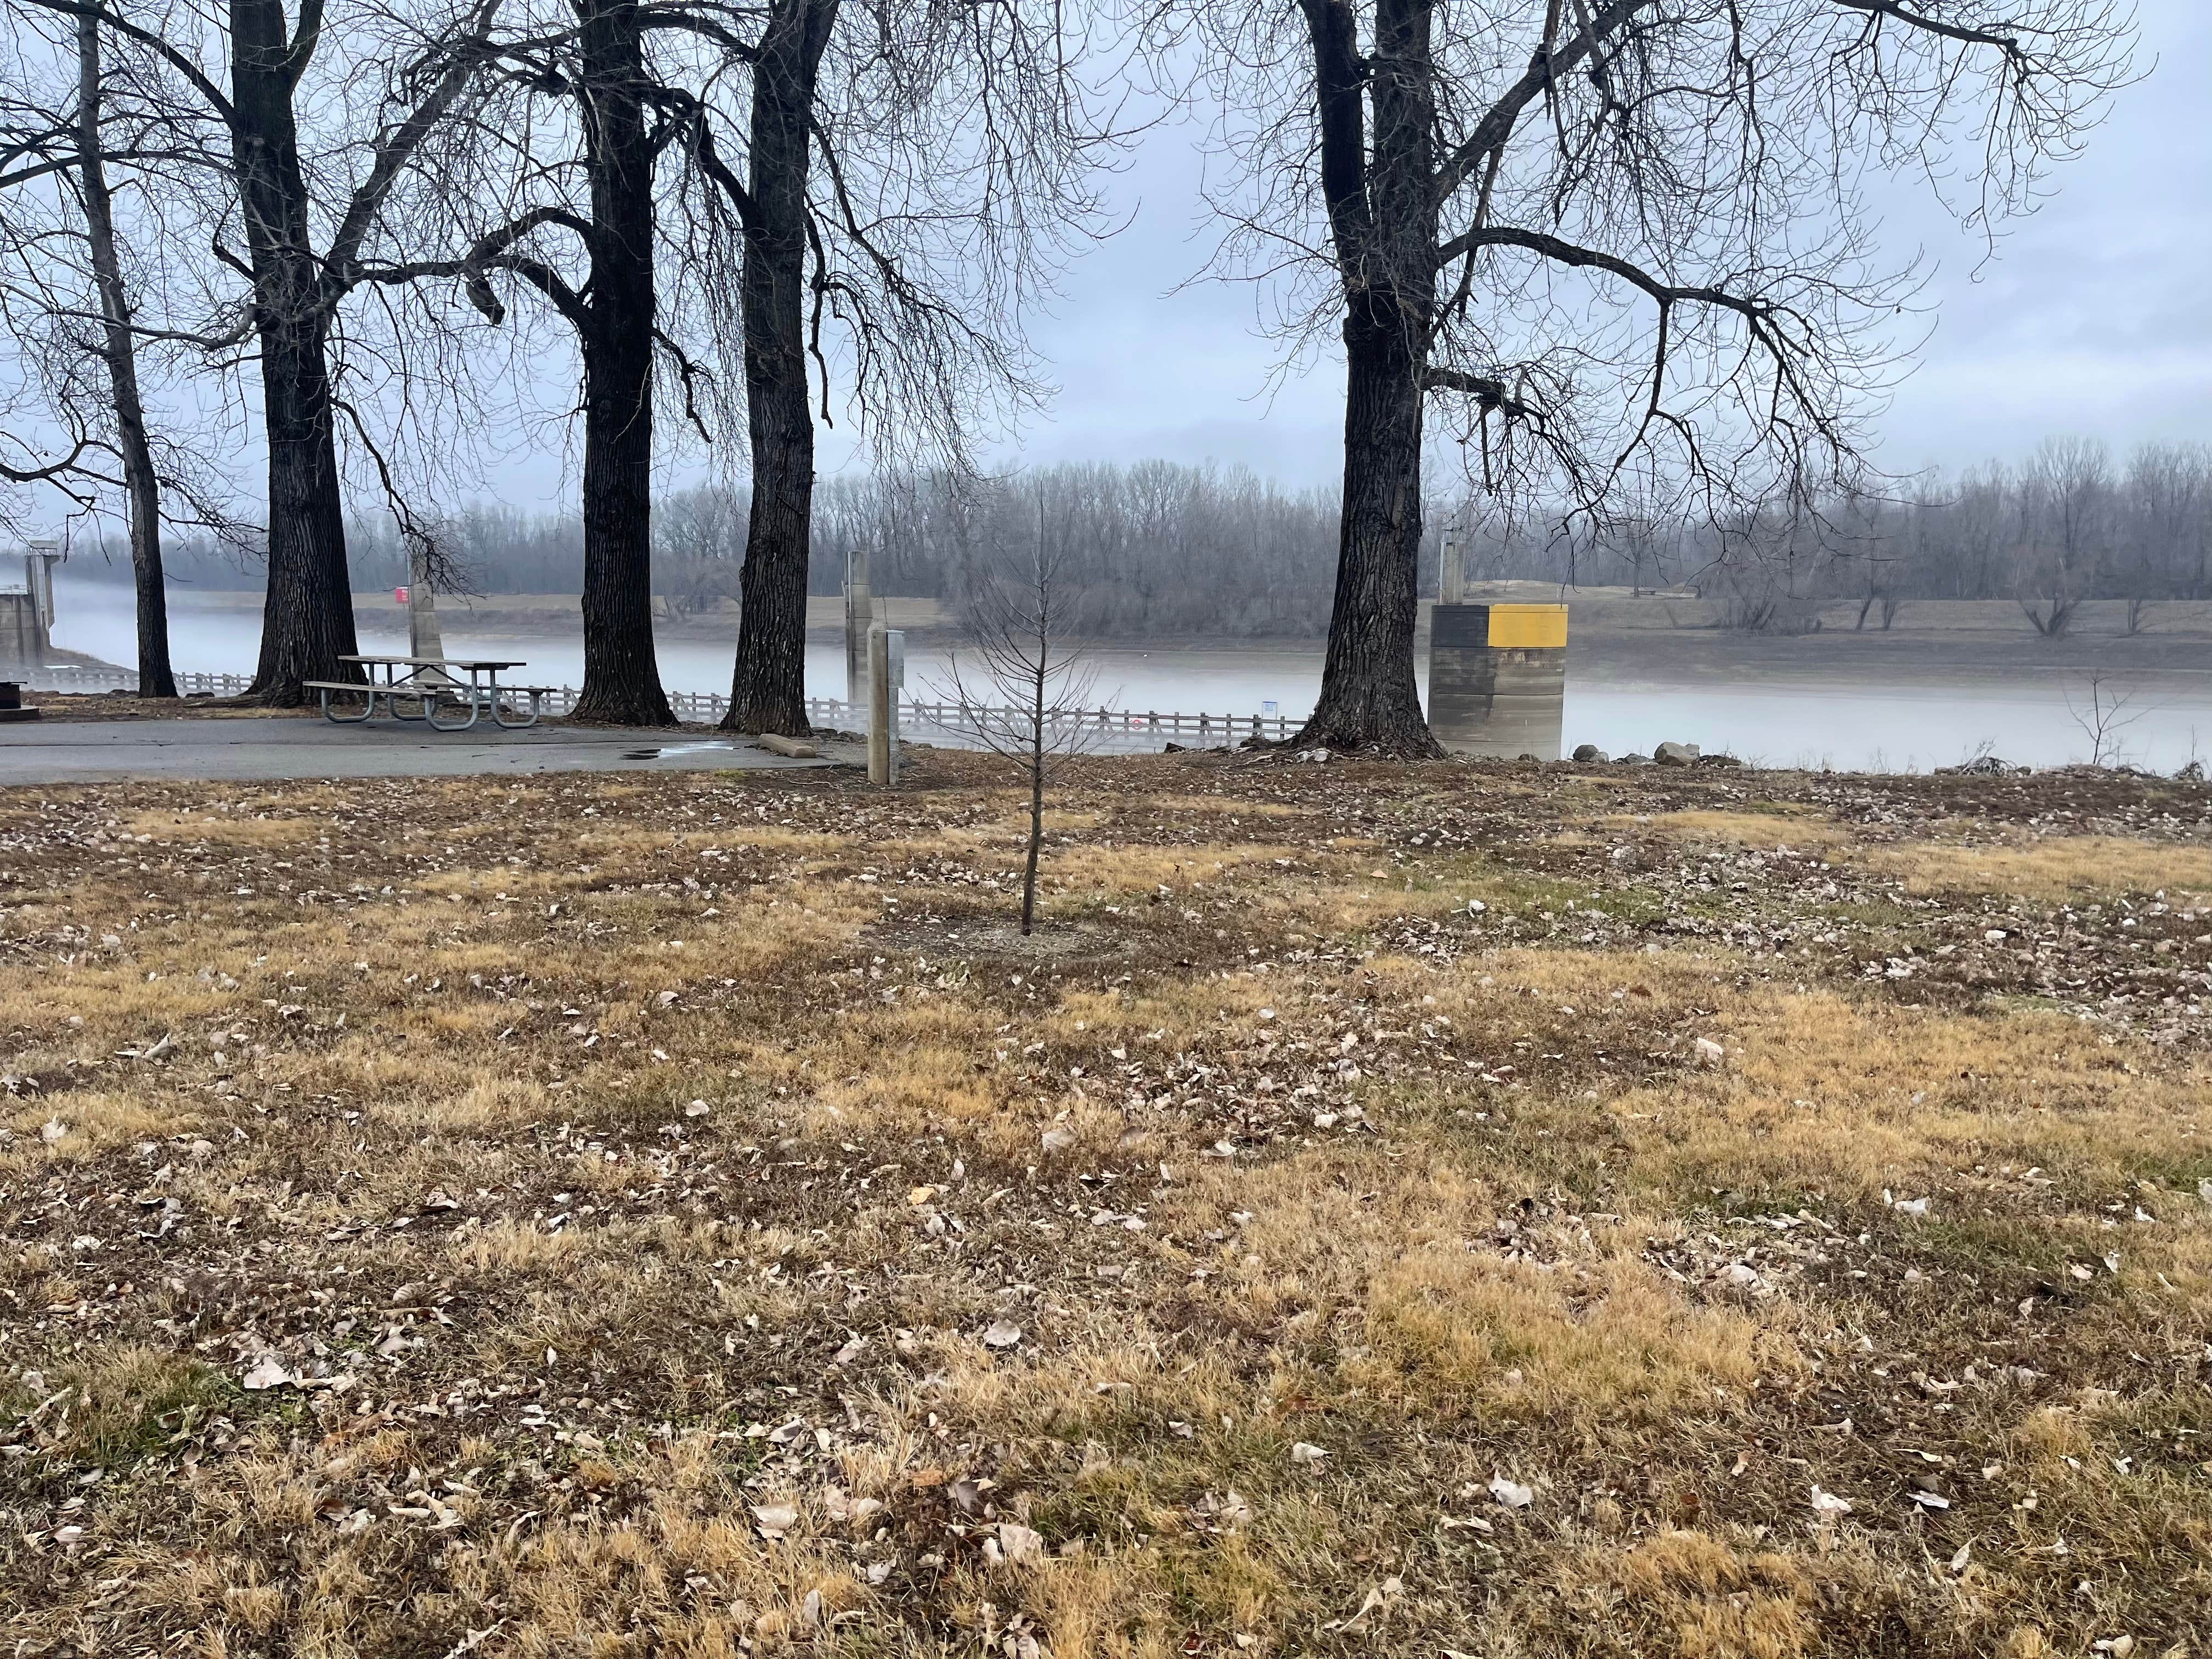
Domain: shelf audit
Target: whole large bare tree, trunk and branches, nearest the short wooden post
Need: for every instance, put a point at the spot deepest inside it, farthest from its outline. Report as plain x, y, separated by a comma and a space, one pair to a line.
912, 169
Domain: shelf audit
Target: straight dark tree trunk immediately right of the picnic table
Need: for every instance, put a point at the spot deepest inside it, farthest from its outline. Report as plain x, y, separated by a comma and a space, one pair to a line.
623, 680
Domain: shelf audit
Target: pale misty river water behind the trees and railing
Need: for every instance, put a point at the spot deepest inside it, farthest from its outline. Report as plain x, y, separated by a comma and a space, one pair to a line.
2032, 718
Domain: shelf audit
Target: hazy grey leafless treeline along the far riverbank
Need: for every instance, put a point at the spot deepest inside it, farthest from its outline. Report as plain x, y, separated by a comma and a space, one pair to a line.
1173, 550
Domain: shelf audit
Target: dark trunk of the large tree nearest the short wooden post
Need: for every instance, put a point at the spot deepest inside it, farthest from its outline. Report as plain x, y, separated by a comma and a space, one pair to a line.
769, 687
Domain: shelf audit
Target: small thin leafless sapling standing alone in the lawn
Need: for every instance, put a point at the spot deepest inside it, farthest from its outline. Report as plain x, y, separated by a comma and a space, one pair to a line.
1027, 685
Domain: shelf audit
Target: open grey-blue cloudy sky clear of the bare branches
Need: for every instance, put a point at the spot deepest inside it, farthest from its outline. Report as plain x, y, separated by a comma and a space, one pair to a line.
2094, 320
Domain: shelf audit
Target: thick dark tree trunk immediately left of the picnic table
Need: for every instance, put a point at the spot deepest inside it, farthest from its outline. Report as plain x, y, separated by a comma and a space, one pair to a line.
309, 616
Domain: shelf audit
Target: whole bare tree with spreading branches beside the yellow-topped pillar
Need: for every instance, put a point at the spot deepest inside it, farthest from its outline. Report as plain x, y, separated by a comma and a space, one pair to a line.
1614, 240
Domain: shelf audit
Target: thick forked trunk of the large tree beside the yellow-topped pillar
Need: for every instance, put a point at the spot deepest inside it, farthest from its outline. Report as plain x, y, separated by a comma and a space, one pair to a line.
1384, 216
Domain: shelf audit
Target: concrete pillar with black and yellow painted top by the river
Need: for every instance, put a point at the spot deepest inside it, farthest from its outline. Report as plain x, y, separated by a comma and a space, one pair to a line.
1499, 678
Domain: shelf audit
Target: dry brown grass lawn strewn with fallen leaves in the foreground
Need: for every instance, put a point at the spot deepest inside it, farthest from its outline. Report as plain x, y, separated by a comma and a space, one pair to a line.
636, 1238
